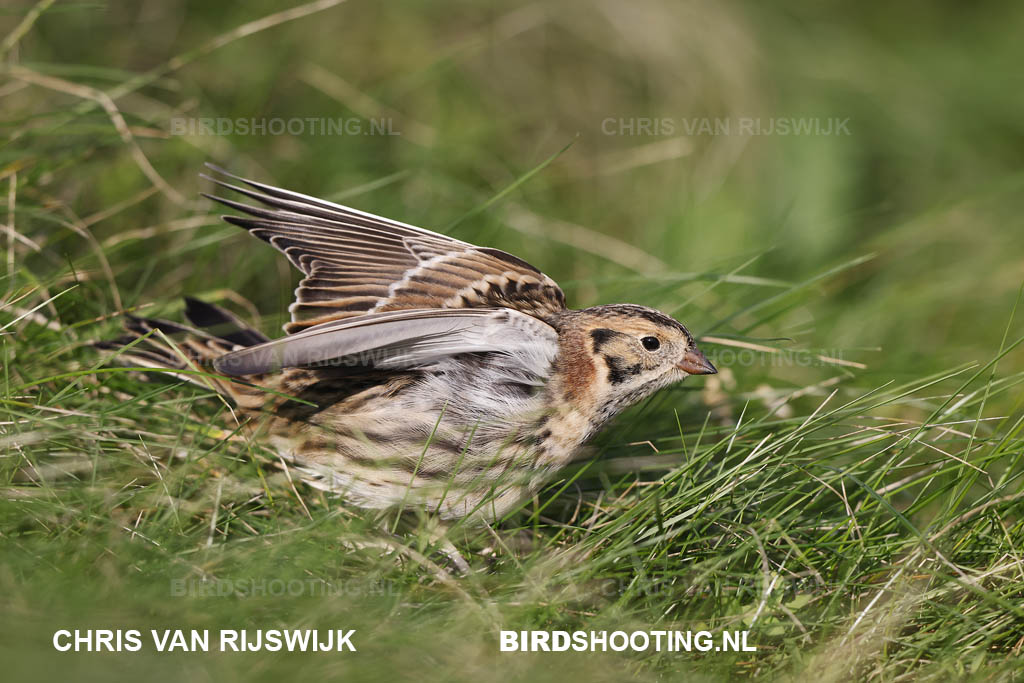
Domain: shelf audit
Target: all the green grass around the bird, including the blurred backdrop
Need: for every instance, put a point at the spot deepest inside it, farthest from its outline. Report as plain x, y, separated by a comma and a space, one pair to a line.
848, 489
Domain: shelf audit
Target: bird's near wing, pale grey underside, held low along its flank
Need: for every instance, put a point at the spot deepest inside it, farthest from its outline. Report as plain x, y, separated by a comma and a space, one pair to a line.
405, 339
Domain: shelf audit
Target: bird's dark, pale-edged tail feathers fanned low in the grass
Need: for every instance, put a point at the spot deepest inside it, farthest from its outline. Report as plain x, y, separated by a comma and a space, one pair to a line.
186, 352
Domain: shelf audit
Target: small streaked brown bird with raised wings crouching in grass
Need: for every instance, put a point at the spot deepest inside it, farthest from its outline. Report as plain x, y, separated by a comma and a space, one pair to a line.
432, 372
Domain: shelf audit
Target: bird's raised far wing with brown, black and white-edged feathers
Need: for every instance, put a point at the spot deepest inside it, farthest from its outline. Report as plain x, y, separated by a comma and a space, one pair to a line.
358, 264
